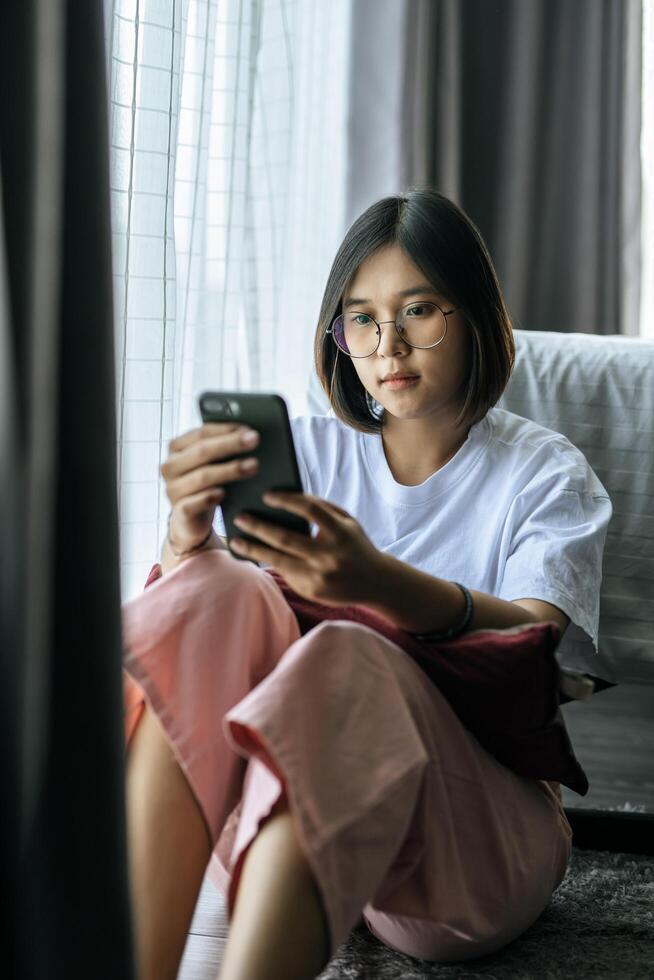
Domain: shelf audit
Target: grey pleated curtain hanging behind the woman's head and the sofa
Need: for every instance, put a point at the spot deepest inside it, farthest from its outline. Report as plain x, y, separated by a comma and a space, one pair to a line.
526, 113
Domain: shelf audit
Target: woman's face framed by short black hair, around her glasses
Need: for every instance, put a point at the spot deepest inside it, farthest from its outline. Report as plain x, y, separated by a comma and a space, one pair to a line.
440, 371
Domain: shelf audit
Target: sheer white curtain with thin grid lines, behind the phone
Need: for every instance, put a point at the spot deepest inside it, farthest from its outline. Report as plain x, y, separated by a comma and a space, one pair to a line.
228, 130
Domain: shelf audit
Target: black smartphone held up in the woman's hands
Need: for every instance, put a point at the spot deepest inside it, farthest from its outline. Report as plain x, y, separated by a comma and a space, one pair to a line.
266, 412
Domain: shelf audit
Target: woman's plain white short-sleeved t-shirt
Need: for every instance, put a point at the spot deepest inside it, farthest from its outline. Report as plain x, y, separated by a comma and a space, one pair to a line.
517, 512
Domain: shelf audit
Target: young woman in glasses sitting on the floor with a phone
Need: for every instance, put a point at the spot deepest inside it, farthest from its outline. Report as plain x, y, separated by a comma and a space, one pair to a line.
323, 777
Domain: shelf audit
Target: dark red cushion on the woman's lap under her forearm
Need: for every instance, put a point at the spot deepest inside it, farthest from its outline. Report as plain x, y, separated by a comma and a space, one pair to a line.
502, 684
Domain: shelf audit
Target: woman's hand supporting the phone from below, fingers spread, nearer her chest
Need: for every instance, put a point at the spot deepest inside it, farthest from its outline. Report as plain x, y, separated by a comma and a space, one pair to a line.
337, 567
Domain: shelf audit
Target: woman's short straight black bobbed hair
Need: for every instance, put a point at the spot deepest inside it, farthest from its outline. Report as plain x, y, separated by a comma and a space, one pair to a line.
448, 248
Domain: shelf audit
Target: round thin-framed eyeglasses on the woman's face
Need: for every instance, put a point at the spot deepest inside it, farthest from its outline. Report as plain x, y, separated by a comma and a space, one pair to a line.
418, 324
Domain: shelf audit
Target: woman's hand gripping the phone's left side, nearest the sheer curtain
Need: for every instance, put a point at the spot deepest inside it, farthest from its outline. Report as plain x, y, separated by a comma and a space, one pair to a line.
197, 467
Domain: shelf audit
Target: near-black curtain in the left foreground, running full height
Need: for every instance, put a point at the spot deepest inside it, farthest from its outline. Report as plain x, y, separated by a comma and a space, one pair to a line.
64, 836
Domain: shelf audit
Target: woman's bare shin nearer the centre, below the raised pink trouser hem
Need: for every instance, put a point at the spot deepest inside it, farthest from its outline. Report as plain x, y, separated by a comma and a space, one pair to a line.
278, 928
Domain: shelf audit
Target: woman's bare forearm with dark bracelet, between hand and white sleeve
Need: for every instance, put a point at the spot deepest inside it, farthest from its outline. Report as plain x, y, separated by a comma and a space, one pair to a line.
418, 602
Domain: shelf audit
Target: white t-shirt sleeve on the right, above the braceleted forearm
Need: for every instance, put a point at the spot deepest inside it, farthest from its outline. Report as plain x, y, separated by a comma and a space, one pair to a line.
555, 554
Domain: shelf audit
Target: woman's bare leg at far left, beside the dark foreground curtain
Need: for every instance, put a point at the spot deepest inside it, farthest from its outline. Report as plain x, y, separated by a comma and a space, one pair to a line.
169, 847
